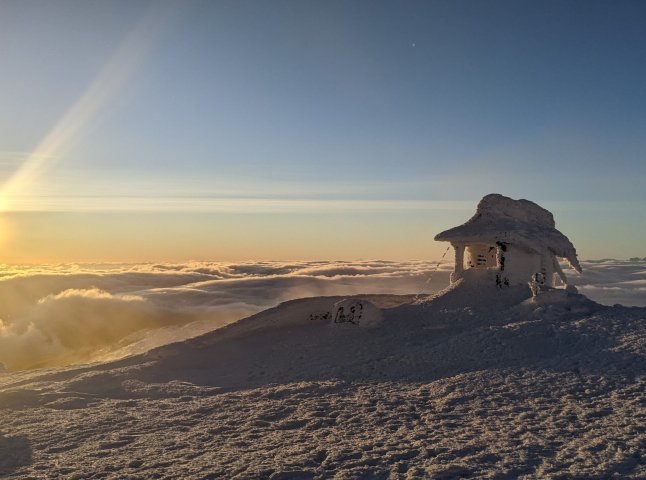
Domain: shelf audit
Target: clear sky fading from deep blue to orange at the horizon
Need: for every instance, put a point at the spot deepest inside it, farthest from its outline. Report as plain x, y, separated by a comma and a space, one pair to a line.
230, 130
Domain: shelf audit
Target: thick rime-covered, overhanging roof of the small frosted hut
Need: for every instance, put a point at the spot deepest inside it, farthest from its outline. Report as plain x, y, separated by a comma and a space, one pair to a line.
519, 222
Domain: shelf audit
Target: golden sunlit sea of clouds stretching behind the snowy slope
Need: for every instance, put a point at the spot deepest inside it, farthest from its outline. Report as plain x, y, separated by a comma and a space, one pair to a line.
55, 315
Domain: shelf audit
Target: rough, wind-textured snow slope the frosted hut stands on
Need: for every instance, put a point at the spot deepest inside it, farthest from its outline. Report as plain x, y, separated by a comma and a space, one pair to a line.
476, 382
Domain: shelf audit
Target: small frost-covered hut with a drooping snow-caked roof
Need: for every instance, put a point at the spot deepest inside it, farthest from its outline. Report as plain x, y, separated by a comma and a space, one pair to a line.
515, 238
